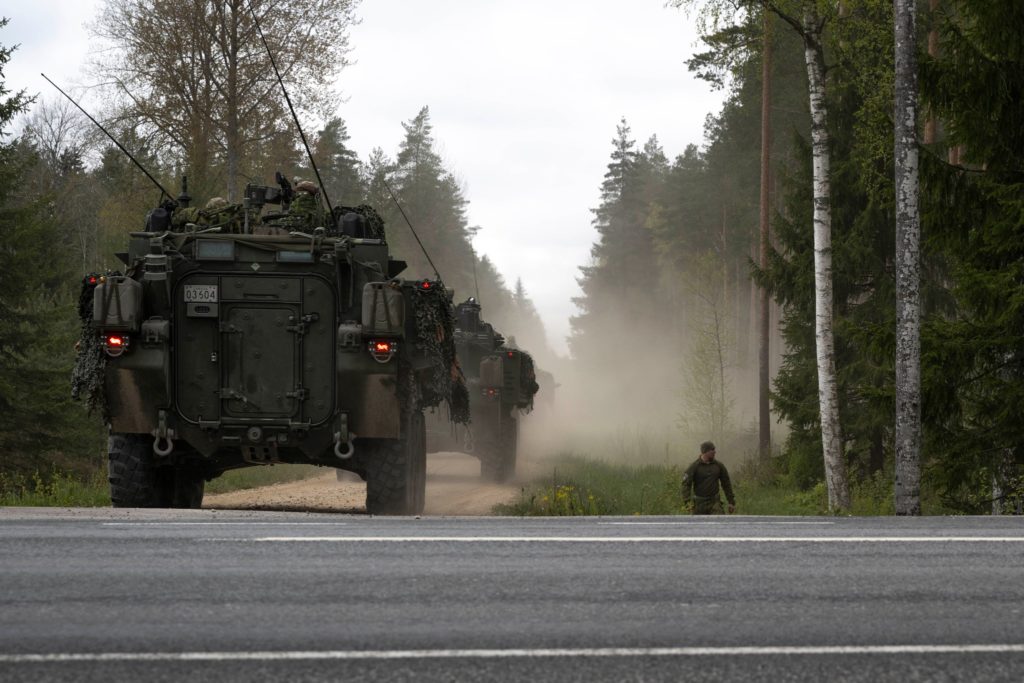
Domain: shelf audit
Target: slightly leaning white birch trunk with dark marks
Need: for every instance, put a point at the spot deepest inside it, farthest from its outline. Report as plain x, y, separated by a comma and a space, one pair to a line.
832, 437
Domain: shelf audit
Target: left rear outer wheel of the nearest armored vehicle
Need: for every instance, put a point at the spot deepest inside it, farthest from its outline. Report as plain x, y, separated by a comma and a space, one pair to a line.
136, 481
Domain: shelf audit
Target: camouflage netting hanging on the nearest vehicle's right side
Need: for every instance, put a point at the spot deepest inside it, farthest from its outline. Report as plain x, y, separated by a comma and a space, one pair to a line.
436, 338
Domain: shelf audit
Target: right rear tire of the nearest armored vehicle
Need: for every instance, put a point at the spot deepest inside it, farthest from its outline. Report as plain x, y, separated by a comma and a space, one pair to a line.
397, 471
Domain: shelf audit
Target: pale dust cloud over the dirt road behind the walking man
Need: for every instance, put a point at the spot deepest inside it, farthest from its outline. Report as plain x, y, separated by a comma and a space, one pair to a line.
650, 389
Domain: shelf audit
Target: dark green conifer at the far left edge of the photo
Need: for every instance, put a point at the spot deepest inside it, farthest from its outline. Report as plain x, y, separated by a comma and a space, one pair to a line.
38, 322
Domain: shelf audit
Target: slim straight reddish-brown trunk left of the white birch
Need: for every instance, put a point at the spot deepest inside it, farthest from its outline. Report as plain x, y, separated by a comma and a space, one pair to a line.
764, 411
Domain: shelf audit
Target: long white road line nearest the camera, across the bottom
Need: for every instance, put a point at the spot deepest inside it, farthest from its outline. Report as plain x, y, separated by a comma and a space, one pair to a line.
511, 654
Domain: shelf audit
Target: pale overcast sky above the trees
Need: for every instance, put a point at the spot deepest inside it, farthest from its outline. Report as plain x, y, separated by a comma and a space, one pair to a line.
525, 98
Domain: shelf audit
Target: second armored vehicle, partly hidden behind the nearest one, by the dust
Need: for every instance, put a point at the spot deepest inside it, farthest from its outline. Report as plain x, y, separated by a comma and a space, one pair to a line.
502, 383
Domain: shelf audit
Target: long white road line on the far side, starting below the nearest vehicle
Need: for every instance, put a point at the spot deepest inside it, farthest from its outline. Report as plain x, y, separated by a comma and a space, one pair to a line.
614, 539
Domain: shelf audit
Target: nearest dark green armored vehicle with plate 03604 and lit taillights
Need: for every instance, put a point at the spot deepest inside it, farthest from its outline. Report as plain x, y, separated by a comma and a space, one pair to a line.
271, 331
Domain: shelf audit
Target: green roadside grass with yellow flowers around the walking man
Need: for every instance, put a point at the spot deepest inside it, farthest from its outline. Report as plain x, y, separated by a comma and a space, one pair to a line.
580, 486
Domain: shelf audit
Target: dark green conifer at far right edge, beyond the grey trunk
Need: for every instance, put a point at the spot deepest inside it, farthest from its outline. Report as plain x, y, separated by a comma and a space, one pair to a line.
973, 367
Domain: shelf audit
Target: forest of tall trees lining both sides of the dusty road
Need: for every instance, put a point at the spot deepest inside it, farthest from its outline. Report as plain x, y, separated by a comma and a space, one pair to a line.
704, 281
